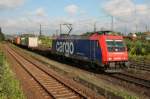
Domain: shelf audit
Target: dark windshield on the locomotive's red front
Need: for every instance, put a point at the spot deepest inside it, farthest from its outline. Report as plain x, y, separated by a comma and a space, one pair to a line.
115, 45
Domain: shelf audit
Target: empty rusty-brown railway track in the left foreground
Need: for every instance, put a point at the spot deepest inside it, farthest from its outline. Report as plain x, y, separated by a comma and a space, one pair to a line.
54, 86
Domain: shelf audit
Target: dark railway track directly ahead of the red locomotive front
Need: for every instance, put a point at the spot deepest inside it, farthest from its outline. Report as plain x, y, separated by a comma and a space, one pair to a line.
132, 79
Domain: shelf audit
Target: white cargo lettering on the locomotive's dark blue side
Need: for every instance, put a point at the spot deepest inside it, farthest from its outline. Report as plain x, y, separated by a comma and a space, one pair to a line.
65, 47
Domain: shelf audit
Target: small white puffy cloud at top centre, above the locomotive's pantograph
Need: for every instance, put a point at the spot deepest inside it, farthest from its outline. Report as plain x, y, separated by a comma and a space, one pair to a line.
72, 9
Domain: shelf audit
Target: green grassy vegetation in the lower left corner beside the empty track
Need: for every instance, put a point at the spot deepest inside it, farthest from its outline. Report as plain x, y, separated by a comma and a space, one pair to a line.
9, 86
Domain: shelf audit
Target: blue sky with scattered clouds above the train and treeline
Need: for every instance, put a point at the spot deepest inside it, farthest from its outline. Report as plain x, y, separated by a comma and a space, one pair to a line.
25, 16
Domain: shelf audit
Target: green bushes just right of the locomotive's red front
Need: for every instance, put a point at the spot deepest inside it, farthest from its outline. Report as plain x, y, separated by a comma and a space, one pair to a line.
139, 53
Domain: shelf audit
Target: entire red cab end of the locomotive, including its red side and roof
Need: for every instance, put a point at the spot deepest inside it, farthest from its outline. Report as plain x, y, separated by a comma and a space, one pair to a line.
114, 51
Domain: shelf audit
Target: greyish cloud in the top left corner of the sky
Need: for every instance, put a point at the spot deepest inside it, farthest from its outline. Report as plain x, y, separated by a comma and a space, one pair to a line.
7, 4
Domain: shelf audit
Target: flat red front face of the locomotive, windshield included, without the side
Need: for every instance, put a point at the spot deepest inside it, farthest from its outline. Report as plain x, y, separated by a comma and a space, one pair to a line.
117, 55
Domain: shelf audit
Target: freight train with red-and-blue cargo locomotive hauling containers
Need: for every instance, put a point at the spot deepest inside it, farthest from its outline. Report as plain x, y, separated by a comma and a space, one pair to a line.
103, 50
